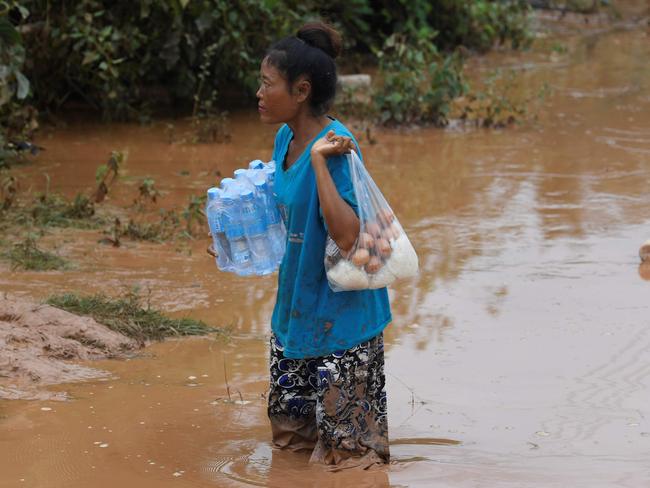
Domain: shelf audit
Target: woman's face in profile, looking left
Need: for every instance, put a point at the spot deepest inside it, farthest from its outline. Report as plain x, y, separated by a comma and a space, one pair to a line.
277, 103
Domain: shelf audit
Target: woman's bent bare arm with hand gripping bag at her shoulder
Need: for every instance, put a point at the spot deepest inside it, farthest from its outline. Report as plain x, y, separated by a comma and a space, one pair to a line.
342, 222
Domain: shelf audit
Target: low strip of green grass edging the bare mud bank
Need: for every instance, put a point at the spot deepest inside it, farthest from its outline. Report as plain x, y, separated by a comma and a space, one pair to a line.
128, 316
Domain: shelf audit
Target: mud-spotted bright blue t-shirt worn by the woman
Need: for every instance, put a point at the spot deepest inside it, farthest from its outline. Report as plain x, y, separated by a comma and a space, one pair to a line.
310, 319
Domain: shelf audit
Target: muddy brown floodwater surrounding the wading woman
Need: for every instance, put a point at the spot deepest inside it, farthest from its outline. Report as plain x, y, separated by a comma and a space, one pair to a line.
520, 356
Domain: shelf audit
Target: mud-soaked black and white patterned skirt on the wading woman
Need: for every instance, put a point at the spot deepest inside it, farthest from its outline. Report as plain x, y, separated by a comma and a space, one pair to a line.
335, 404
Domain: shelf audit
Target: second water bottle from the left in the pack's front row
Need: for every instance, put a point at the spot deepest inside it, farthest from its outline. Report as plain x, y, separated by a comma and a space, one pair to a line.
240, 253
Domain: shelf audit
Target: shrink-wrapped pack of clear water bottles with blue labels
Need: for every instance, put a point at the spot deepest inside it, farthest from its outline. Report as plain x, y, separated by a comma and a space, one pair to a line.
247, 230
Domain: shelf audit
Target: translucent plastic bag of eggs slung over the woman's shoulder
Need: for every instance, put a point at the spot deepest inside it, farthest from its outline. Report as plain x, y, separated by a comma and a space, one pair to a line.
382, 252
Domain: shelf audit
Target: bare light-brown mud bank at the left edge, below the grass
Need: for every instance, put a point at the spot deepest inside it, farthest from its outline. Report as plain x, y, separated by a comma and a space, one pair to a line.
39, 344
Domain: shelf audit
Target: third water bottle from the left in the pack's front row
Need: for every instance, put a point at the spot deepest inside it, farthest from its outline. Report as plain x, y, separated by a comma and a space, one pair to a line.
254, 224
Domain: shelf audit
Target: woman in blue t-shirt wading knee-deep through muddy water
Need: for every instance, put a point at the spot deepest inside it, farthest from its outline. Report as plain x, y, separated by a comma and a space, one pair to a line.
327, 389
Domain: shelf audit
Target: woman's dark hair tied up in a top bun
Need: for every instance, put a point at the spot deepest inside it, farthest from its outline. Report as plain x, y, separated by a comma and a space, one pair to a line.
310, 53
